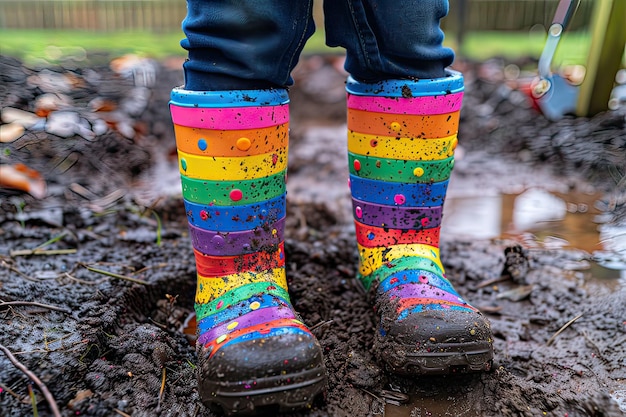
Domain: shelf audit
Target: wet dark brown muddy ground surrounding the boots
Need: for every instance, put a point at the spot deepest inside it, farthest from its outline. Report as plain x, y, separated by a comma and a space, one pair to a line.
107, 340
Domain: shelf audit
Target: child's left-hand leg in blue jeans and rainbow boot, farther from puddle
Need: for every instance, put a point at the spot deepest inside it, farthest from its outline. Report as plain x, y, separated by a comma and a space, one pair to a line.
231, 123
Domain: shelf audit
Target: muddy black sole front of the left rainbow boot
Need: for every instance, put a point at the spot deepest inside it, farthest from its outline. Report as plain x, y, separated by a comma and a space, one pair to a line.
266, 396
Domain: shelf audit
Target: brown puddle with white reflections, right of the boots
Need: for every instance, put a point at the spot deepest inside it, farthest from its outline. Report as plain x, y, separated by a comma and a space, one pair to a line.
544, 220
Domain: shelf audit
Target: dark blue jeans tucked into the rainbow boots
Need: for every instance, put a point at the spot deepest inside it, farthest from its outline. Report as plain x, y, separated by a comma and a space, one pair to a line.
254, 44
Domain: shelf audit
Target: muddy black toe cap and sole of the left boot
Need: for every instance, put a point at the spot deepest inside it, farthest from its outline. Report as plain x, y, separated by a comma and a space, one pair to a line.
285, 370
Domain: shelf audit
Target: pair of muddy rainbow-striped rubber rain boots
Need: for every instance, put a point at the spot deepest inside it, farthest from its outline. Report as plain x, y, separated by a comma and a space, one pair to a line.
254, 352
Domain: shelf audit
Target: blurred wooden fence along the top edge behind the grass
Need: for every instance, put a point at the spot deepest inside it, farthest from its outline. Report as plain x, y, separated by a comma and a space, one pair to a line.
166, 15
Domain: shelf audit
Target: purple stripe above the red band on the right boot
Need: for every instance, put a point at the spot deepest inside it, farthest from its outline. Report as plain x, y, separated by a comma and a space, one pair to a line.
414, 218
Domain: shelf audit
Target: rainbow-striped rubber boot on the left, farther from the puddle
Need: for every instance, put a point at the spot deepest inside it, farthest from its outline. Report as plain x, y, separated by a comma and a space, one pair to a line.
254, 352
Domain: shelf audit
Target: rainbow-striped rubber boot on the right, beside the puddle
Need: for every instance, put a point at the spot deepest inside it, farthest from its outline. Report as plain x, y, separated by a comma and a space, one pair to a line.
401, 140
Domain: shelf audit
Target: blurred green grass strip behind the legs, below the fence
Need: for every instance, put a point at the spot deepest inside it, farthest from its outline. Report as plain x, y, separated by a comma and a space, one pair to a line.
34, 46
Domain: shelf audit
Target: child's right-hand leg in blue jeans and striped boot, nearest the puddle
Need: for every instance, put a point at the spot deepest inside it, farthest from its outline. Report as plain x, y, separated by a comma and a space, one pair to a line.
403, 112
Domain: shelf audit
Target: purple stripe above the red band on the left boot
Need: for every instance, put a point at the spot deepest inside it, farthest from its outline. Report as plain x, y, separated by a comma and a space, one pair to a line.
237, 243
